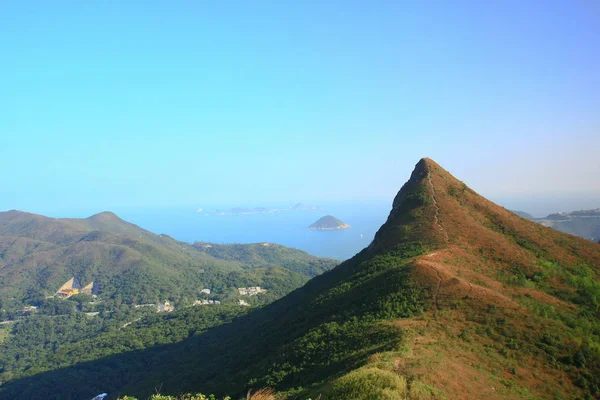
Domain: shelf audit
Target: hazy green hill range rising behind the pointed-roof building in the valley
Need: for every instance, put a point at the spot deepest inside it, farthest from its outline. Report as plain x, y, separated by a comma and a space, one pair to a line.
38, 254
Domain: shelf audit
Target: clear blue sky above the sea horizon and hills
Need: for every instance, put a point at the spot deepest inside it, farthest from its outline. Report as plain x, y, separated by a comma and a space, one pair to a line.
113, 104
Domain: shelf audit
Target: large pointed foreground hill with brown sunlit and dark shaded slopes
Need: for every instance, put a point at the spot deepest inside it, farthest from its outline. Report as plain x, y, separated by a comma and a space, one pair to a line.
456, 297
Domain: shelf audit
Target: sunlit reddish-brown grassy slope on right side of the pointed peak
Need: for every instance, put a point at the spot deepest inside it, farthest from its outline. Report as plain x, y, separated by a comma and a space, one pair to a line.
511, 301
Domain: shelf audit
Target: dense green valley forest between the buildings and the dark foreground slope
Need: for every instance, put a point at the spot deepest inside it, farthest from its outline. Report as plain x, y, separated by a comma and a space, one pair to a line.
43, 342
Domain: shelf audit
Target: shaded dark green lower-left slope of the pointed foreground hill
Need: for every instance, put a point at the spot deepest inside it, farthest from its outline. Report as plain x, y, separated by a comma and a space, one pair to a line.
318, 332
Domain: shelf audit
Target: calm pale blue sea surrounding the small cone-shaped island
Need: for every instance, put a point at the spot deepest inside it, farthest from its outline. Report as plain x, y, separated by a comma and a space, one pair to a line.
288, 228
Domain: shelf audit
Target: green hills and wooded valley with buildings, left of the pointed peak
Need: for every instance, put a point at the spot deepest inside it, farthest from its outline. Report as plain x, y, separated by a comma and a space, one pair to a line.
132, 266
